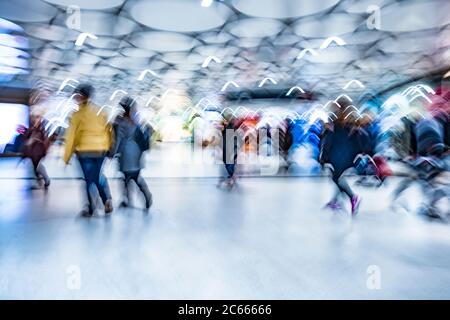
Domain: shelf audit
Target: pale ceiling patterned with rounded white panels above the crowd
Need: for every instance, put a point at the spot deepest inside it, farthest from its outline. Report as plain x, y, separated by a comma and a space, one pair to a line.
317, 45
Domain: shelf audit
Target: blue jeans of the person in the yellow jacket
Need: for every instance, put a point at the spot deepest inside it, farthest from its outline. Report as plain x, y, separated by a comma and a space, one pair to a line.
91, 167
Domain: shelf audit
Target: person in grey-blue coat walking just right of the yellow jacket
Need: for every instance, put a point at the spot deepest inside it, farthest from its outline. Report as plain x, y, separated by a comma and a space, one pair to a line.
131, 141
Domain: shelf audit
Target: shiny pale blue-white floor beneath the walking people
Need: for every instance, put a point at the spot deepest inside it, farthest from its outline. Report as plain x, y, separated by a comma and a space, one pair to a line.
270, 238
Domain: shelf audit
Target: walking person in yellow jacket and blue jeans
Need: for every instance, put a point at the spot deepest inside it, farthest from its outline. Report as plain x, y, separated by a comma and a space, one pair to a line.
89, 136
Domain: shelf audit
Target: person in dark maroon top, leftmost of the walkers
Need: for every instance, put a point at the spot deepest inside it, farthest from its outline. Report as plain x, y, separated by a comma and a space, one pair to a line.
35, 145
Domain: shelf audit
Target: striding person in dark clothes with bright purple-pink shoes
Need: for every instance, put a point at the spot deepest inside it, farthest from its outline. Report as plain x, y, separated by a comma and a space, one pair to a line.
341, 143
